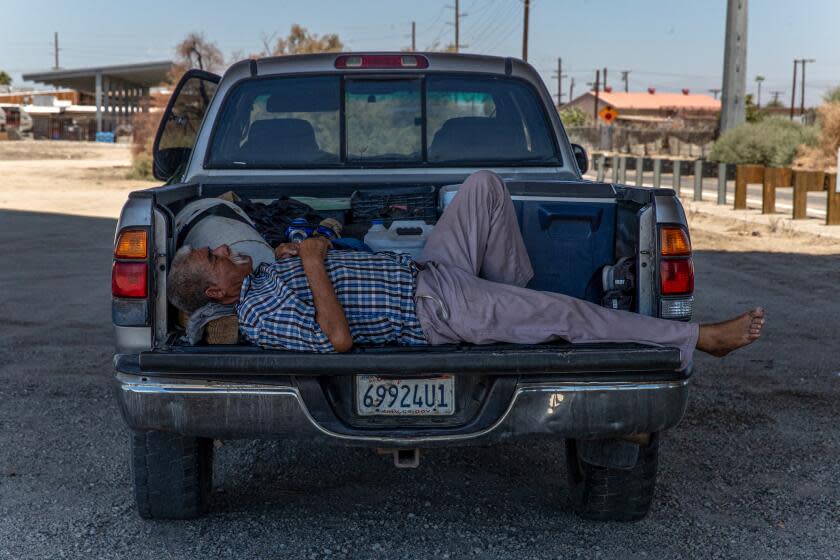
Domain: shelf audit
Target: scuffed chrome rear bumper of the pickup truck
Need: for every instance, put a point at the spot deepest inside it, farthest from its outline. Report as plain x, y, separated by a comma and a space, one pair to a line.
230, 410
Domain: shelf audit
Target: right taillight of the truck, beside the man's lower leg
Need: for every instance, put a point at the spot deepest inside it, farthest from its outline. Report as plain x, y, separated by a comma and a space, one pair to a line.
676, 274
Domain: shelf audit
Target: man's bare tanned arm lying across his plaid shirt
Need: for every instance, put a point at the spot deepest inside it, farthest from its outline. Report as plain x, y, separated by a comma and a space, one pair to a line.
328, 311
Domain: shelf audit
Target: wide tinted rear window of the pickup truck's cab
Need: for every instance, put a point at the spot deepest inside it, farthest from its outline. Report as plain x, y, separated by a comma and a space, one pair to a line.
340, 121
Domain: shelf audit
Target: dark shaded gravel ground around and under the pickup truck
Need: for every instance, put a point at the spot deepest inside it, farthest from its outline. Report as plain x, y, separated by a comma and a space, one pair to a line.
752, 471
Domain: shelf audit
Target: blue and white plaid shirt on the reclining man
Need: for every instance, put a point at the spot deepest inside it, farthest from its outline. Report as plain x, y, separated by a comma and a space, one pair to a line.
376, 291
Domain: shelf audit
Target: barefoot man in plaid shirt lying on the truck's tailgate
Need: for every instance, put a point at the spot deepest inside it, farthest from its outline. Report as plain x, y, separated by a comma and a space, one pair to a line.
468, 288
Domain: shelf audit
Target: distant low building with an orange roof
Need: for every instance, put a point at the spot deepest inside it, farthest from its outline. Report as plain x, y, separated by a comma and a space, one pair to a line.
652, 107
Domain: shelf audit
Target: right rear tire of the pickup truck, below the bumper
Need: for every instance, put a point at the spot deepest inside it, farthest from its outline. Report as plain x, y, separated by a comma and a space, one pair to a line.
612, 494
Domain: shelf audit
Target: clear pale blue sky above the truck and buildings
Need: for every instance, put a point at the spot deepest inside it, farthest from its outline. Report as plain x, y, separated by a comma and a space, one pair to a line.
666, 44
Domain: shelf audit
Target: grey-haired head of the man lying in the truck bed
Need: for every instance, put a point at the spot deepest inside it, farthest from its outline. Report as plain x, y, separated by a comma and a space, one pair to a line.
199, 276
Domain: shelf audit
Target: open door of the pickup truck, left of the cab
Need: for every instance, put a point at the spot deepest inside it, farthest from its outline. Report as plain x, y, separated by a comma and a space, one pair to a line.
179, 126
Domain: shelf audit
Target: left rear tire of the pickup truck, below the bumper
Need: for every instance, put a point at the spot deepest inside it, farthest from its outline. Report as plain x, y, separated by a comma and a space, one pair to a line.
173, 474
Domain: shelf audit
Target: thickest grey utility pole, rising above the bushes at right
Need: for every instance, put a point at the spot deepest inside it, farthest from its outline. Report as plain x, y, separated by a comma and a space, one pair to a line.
733, 110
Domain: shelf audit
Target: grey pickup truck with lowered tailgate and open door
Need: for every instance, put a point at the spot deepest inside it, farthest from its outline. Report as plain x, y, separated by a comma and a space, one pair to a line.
326, 126
